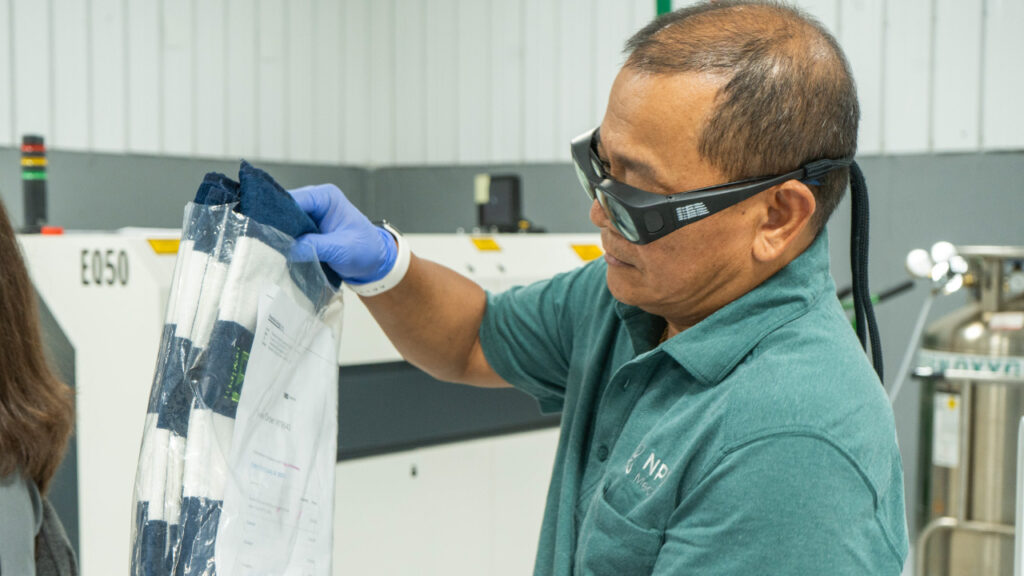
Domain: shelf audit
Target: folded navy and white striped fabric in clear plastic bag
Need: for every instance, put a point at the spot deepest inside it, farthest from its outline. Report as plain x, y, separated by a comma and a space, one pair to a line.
237, 239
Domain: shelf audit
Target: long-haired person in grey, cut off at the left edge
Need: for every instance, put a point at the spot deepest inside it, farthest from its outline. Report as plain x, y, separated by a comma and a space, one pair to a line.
36, 421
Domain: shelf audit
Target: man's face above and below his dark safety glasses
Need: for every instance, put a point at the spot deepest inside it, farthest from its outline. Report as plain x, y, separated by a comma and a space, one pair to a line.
650, 141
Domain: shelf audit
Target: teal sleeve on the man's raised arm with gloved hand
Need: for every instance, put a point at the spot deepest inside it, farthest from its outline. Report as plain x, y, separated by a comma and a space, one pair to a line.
527, 337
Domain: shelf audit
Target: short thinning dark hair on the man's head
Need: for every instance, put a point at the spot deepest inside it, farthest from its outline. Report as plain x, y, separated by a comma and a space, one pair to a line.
788, 98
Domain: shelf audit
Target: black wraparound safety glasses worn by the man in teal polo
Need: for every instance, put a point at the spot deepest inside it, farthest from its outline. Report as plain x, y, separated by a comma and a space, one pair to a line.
645, 217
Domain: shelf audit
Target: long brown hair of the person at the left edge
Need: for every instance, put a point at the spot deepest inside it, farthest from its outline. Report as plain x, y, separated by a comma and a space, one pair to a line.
36, 409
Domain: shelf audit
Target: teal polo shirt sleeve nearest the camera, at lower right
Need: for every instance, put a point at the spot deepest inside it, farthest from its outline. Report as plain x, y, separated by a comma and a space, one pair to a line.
785, 506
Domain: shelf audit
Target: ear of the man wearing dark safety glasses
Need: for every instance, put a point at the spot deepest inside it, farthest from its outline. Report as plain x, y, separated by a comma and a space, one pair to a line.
789, 210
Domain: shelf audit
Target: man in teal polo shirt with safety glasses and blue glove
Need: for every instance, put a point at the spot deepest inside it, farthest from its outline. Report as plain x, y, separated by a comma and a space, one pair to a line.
718, 415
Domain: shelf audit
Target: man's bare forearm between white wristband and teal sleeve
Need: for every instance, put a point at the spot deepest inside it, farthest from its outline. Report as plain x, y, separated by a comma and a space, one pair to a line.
434, 318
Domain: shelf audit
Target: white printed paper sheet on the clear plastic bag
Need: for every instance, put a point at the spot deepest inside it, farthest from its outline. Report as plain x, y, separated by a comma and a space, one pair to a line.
278, 515
